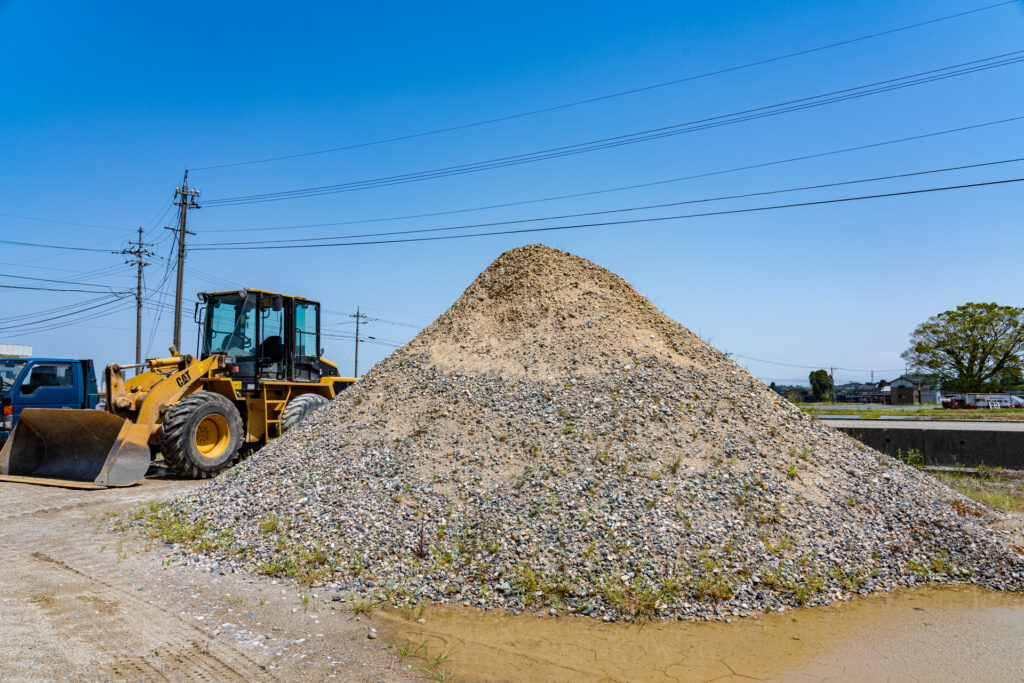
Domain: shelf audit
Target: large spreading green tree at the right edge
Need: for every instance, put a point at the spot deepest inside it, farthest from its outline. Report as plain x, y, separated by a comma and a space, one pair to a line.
977, 347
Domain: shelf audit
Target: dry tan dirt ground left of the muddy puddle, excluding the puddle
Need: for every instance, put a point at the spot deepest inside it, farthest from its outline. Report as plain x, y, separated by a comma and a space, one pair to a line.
80, 603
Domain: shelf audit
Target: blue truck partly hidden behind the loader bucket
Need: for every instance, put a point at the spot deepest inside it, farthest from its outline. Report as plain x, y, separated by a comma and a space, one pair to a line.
45, 383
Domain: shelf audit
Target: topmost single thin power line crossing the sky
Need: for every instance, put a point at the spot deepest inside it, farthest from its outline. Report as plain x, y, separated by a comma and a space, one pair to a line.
612, 96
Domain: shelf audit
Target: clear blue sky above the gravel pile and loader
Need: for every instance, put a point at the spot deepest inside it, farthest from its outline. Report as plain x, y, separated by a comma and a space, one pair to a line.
105, 108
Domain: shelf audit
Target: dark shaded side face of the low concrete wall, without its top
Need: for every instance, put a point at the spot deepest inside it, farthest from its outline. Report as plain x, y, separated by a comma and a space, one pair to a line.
970, 448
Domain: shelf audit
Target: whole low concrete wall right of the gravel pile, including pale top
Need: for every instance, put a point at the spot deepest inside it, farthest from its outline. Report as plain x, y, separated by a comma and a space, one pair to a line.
944, 443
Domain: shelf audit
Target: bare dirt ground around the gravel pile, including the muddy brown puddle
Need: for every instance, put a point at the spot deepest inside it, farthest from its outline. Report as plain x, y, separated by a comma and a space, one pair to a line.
79, 603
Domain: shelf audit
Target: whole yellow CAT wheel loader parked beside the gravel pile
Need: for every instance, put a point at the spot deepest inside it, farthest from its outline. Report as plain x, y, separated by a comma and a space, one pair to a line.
259, 373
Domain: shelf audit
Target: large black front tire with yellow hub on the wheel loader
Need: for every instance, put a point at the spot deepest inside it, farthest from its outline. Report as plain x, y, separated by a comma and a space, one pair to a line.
202, 436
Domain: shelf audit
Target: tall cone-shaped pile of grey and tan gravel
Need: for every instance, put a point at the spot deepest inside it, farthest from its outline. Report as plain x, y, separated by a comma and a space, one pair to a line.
553, 442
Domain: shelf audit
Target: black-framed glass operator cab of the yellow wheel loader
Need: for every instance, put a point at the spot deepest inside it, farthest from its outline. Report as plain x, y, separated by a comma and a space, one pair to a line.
272, 337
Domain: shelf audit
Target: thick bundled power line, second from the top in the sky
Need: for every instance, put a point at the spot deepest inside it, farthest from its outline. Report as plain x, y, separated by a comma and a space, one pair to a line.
645, 136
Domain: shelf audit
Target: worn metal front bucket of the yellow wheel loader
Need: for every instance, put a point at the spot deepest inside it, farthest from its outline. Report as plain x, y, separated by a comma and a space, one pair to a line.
75, 448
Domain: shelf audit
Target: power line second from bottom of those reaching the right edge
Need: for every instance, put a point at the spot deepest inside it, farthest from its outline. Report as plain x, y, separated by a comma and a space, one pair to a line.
638, 208
